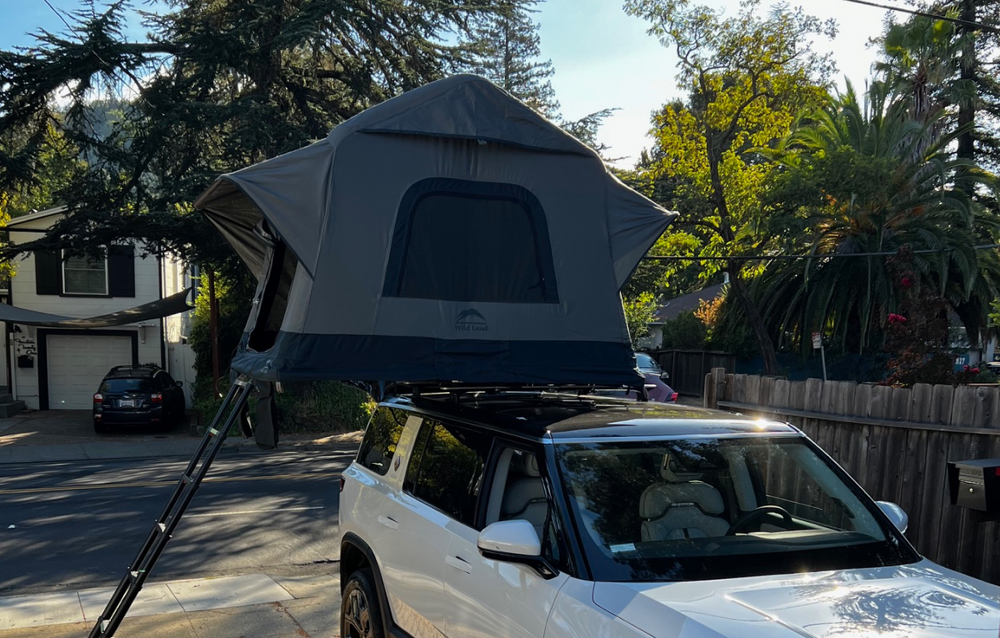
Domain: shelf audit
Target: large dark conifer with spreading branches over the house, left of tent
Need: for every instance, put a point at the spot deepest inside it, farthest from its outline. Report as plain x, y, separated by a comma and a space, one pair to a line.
218, 85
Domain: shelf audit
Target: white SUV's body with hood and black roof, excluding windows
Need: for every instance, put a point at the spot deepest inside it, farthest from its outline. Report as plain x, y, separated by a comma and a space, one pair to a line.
438, 583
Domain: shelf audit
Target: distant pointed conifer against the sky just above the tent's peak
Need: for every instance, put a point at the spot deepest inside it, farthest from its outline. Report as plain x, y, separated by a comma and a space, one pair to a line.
504, 47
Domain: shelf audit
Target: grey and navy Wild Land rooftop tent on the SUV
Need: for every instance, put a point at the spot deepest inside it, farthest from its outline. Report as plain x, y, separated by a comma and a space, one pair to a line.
448, 234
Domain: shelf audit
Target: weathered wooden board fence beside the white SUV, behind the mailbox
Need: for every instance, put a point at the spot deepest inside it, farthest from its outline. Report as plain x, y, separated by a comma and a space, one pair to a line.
896, 442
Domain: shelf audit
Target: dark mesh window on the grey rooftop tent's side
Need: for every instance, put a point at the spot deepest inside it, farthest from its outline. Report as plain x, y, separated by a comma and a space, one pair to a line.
471, 241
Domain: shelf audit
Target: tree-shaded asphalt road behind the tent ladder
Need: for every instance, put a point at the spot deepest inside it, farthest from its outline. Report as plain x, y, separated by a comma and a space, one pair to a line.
80, 524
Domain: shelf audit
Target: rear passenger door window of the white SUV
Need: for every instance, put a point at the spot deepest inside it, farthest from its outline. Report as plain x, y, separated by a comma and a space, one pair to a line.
446, 469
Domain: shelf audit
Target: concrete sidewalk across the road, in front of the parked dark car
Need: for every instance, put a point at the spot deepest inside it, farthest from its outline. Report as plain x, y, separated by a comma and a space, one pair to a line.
67, 435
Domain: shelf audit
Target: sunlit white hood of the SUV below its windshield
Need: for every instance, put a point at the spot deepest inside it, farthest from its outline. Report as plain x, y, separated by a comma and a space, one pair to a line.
916, 601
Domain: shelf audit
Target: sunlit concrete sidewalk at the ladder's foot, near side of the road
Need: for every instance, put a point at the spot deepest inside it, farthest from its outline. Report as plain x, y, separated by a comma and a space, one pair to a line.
250, 606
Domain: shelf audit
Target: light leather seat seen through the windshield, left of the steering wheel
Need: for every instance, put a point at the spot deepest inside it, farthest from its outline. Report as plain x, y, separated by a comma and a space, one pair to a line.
681, 507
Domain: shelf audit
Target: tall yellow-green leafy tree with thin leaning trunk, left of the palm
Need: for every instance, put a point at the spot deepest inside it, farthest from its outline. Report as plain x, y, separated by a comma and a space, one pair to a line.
748, 78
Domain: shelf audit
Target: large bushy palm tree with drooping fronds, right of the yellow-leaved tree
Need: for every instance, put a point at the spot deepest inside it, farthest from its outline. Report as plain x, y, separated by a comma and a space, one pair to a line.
873, 180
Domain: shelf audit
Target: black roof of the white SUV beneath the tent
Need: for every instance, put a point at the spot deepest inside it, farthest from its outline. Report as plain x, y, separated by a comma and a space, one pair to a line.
560, 416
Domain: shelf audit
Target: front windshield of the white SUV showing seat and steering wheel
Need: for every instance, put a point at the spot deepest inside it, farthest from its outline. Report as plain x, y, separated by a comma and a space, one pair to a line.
706, 508
